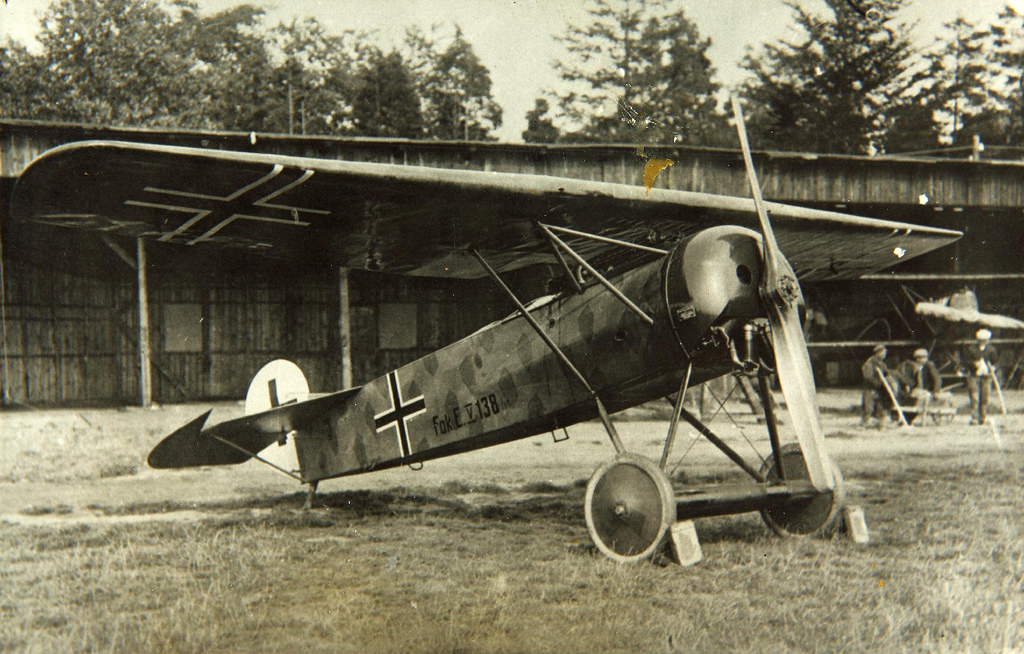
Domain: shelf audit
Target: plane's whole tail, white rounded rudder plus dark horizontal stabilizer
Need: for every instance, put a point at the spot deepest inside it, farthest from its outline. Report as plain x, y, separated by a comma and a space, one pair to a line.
239, 441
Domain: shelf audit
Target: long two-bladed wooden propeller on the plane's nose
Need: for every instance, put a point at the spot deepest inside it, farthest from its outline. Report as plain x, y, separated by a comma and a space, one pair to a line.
782, 298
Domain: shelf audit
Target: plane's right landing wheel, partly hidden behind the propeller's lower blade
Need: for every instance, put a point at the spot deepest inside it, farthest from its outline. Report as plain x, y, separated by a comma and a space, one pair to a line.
802, 517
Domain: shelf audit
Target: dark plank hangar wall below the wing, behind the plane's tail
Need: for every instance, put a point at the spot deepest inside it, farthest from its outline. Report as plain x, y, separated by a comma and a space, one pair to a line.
73, 340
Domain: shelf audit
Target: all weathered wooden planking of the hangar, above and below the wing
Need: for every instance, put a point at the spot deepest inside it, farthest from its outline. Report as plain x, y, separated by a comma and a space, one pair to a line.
72, 339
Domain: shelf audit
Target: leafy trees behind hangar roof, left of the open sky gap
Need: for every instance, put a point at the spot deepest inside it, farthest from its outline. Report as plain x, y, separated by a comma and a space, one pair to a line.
145, 63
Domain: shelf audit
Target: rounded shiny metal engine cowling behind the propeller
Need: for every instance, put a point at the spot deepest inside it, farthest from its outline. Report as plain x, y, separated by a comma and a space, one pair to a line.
711, 278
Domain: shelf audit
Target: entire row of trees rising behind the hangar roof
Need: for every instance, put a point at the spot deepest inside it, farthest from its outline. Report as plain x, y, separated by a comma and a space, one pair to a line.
849, 80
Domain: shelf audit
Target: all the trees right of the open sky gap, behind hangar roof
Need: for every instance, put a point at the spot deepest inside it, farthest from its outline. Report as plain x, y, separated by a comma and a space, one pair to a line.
850, 81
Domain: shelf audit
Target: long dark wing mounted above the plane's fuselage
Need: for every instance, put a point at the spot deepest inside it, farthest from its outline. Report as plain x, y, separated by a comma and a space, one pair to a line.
409, 220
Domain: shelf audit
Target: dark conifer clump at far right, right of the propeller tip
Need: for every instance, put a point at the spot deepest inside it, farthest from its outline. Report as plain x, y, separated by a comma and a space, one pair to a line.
856, 83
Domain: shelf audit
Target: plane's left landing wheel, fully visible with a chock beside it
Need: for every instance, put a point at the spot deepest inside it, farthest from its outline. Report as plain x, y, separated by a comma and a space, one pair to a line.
630, 506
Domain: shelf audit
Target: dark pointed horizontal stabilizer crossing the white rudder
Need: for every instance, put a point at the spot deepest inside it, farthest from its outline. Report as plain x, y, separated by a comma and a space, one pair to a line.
236, 442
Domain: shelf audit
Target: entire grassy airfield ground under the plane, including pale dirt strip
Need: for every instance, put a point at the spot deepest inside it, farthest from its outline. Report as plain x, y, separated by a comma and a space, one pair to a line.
489, 551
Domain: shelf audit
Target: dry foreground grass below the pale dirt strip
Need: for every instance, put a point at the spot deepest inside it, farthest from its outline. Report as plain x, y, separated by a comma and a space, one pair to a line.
406, 571
